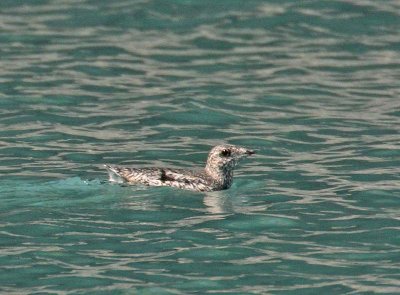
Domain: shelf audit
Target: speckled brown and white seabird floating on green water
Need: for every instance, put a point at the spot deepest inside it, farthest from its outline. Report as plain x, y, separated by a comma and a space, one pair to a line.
216, 175
